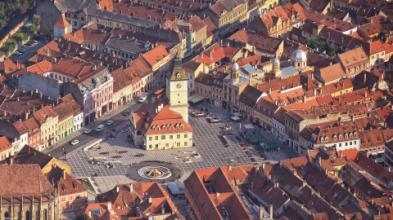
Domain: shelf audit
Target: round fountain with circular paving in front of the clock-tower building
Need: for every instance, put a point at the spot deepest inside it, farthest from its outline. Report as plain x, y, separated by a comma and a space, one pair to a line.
157, 171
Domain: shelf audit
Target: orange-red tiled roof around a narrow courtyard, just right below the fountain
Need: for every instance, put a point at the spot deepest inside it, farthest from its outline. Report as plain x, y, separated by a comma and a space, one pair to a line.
211, 188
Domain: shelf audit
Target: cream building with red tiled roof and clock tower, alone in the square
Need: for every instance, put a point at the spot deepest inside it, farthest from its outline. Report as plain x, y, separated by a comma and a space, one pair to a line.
163, 123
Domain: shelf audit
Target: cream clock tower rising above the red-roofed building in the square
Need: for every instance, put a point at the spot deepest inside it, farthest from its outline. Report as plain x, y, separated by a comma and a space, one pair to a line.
177, 91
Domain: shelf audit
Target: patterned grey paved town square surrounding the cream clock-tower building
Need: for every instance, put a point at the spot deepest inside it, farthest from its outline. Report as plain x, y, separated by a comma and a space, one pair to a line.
117, 156
